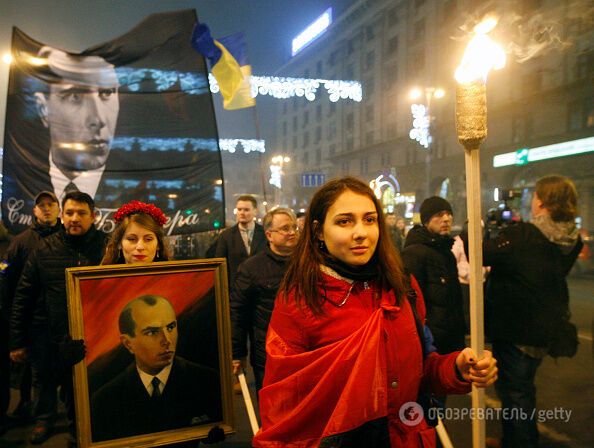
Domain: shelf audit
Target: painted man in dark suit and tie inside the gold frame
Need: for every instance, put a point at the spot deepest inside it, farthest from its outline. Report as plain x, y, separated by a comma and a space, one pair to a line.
160, 390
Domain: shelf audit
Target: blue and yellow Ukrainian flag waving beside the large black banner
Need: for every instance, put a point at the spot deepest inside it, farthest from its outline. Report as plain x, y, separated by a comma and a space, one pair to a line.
229, 65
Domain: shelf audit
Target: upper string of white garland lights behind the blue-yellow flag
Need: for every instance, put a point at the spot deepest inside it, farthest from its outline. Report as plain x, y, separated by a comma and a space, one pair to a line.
282, 88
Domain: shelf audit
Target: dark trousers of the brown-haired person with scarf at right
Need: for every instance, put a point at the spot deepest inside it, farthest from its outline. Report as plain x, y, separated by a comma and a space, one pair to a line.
517, 392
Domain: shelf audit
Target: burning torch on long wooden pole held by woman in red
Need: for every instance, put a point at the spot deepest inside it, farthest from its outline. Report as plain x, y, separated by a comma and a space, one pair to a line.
481, 55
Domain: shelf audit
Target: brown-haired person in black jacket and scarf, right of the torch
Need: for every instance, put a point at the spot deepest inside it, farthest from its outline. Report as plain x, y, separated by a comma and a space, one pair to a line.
528, 297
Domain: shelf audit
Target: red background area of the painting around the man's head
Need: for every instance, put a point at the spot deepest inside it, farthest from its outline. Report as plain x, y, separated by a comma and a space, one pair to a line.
103, 299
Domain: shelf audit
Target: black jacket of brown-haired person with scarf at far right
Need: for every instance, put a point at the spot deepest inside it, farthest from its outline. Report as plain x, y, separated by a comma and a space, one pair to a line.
526, 292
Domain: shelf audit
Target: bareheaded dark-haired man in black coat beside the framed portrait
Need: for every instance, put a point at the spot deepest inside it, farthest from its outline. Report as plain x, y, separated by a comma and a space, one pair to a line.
39, 319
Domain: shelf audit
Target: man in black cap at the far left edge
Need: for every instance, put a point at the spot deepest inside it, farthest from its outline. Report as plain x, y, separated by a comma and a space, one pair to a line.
46, 222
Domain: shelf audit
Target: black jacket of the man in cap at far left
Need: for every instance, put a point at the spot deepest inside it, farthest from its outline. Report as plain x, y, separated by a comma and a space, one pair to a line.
18, 251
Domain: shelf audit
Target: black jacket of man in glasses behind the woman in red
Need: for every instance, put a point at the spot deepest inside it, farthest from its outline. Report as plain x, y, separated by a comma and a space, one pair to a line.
252, 301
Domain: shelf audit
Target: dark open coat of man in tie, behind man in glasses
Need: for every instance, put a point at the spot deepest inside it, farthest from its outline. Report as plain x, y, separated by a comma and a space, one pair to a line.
230, 246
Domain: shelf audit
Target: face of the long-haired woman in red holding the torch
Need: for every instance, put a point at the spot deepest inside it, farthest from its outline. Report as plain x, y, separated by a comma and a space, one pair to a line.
351, 228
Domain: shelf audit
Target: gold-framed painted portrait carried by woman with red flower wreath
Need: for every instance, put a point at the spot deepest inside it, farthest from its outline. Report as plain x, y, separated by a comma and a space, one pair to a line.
157, 368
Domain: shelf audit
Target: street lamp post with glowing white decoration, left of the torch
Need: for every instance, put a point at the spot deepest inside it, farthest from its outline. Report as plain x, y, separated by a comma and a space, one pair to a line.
422, 120
